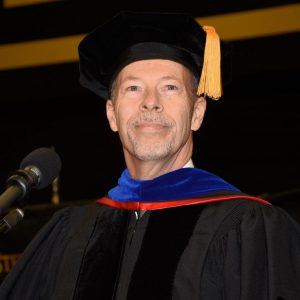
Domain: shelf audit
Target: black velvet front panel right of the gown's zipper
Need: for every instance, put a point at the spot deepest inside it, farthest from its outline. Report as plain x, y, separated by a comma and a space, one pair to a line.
167, 236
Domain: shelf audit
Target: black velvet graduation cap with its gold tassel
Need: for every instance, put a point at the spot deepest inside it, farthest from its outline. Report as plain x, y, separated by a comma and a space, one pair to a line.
132, 36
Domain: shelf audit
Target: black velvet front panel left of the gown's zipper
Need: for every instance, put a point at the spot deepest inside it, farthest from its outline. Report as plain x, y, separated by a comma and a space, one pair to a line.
99, 269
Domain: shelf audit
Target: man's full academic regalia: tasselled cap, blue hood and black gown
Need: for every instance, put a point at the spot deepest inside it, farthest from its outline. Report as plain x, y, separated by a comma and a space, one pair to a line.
199, 238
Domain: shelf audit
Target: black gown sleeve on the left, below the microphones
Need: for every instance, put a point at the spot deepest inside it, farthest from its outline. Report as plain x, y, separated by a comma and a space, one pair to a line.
41, 266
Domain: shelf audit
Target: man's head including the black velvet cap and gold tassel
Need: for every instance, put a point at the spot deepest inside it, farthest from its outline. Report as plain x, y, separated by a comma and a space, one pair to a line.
148, 67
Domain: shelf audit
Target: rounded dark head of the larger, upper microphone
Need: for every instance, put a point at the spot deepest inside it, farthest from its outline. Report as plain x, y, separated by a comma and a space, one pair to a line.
46, 163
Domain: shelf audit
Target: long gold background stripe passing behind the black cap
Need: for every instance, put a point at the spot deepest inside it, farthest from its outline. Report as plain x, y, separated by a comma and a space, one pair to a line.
233, 26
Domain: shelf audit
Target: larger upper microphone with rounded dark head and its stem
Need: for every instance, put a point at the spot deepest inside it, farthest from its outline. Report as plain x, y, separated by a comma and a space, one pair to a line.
37, 170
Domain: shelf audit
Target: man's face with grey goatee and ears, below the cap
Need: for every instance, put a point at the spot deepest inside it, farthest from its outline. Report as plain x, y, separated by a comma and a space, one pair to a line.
154, 110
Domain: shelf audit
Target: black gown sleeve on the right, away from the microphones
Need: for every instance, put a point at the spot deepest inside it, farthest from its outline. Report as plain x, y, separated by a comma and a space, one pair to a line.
256, 257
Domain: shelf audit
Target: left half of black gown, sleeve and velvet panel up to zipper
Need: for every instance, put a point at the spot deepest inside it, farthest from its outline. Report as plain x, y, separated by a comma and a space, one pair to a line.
74, 255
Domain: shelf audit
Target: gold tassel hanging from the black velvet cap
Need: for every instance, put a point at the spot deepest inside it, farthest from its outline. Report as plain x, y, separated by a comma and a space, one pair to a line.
210, 81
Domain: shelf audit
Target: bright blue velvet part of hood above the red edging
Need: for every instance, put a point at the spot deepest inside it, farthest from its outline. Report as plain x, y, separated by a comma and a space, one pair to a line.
183, 183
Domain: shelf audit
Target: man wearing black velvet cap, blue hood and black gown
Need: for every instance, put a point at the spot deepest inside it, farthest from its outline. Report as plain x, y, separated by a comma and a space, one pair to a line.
167, 230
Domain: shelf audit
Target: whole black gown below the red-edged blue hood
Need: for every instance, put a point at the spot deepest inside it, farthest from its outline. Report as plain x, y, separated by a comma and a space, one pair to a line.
237, 250
